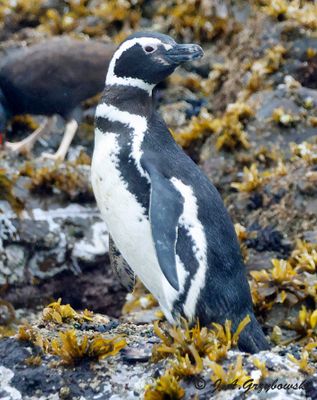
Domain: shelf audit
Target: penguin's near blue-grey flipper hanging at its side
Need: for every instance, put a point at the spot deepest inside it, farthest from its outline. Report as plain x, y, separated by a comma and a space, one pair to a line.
166, 207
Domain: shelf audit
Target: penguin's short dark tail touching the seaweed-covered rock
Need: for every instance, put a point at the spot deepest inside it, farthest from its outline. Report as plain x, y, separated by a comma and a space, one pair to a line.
252, 339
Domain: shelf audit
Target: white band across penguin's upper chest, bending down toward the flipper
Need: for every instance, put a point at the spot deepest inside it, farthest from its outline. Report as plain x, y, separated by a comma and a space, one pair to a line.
136, 122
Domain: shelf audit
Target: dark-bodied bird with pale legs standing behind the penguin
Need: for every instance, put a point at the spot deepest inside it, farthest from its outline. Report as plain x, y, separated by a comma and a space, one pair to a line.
52, 77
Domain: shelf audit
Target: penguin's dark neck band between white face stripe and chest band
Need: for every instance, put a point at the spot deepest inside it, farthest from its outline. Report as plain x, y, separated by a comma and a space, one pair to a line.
129, 98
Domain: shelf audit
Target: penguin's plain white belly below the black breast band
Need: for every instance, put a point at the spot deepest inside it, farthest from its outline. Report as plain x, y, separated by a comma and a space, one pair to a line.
127, 221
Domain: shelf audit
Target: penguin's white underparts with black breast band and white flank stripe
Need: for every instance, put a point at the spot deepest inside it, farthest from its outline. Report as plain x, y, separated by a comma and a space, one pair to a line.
122, 190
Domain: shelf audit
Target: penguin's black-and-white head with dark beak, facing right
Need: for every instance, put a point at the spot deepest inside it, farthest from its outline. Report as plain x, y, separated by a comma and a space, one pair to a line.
146, 58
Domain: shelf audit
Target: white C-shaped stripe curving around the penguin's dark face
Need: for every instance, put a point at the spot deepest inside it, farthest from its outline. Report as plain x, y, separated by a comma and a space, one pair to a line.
113, 79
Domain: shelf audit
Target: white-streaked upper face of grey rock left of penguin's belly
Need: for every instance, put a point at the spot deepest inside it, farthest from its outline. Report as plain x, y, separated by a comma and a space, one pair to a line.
41, 235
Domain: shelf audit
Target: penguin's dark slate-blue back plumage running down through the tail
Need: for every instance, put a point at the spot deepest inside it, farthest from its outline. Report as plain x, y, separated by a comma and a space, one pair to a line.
226, 293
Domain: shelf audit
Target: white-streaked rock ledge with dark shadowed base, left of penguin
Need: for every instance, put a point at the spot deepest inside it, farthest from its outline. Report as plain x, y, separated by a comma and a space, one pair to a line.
52, 247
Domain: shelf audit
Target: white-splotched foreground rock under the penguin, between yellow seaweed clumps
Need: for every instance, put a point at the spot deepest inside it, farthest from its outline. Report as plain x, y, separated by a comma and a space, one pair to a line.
126, 374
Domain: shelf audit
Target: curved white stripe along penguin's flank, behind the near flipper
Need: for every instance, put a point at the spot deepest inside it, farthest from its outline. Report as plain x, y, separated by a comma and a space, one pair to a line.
189, 220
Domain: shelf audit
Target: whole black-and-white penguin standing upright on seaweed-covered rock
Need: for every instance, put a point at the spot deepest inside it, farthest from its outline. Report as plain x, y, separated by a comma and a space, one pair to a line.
167, 222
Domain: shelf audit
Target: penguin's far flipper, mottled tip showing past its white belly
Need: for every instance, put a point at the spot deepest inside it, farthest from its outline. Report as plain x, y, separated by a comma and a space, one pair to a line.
120, 267
